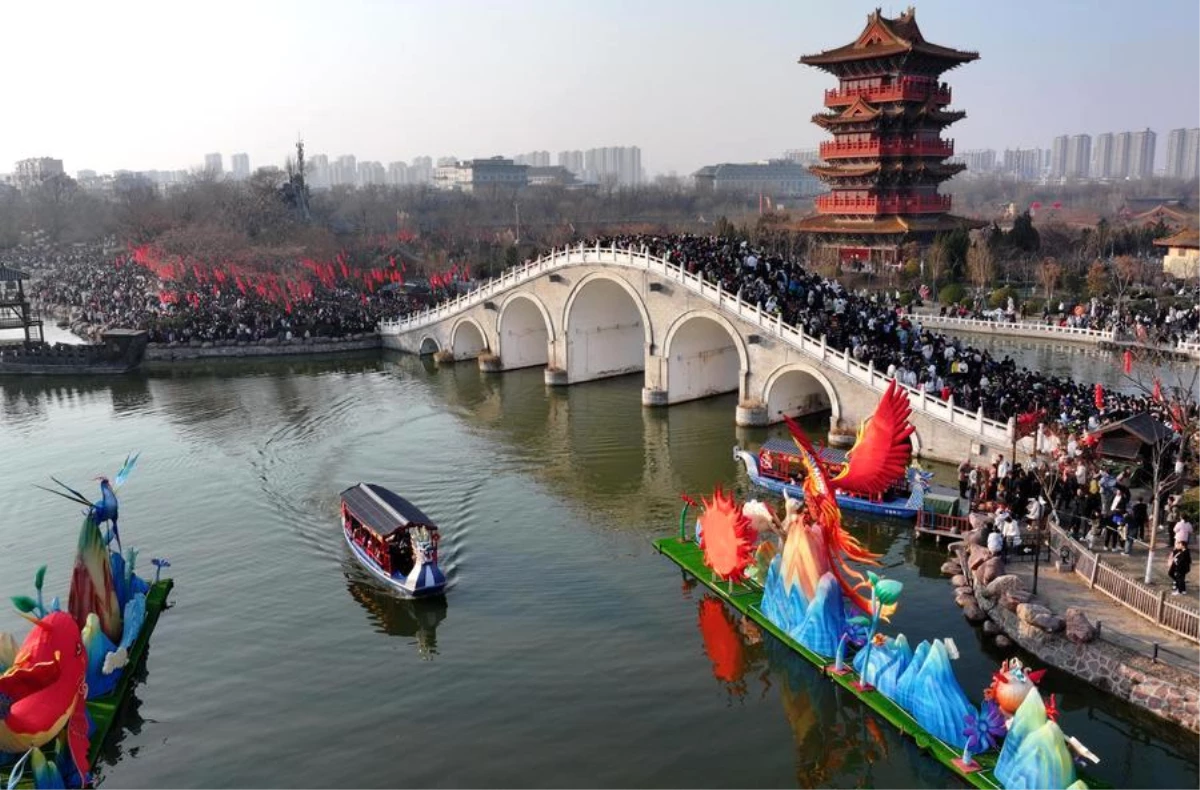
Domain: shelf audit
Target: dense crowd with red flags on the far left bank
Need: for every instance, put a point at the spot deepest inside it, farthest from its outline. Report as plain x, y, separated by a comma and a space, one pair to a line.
93, 290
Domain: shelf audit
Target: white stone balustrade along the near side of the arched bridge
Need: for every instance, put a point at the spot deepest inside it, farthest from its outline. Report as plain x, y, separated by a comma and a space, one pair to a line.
975, 423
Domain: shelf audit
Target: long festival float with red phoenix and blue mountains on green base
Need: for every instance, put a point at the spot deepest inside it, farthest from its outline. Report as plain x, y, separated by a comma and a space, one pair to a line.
794, 576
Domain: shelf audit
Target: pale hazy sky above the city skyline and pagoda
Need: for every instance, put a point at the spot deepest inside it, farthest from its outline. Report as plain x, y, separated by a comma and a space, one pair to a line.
153, 85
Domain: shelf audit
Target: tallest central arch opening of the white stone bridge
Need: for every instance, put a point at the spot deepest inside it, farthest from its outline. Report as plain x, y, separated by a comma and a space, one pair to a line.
607, 330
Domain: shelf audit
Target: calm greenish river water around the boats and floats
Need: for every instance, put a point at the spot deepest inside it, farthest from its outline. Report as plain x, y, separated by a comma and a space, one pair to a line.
567, 654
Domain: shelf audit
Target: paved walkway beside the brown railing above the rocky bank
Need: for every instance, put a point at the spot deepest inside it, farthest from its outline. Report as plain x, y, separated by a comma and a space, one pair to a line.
1119, 625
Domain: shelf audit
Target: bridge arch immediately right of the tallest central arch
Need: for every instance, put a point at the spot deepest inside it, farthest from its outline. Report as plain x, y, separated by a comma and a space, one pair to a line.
706, 356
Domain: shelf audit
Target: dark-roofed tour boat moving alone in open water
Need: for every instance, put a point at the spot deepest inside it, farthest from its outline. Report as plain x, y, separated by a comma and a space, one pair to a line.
393, 540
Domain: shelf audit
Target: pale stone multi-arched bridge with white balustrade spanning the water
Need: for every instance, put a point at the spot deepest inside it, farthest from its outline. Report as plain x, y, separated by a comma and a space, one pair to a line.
586, 314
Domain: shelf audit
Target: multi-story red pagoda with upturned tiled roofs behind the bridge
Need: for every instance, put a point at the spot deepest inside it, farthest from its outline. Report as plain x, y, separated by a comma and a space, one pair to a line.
887, 157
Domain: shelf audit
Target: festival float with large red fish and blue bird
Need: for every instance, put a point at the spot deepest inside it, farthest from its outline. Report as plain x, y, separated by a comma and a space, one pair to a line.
62, 691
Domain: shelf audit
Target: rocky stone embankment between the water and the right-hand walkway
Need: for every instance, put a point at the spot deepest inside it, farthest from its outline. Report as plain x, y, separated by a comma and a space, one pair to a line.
1069, 641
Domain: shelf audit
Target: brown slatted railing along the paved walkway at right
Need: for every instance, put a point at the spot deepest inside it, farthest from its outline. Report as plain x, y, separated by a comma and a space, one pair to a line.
1151, 605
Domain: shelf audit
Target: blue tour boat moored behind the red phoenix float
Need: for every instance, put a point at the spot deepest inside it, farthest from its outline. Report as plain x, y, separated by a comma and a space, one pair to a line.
777, 468
